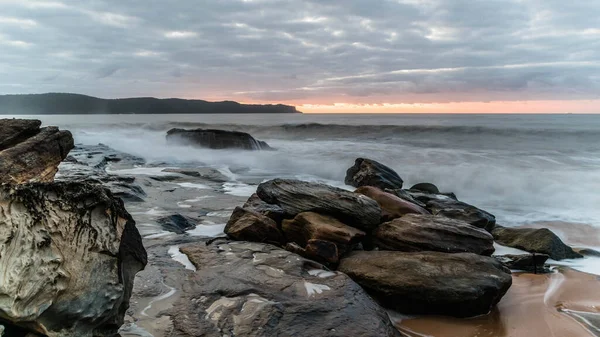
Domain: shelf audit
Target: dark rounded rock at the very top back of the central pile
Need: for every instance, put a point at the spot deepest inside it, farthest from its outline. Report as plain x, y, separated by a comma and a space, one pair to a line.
367, 172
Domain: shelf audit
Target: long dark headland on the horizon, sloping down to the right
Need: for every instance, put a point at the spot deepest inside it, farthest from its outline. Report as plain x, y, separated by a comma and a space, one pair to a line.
58, 103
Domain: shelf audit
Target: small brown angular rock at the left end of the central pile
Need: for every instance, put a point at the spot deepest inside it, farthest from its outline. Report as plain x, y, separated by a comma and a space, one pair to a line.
247, 225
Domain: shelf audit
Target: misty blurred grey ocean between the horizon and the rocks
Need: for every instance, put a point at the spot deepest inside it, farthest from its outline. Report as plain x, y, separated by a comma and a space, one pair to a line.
522, 168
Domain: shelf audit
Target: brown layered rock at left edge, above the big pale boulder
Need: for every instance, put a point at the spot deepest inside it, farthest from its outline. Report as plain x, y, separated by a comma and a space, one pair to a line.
31, 154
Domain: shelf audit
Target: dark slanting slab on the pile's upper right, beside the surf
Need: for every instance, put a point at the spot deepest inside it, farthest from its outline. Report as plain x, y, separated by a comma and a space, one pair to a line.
448, 206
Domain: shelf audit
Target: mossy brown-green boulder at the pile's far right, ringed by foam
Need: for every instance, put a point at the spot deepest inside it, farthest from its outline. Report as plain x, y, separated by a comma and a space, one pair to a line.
533, 240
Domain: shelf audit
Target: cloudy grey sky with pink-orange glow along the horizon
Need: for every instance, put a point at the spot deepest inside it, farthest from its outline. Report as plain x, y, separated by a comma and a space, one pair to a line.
320, 55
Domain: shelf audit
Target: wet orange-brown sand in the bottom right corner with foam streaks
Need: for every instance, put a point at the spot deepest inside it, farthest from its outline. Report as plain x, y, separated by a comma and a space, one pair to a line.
562, 304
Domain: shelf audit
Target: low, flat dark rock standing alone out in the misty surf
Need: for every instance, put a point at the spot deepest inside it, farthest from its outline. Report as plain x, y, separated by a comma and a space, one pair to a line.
216, 139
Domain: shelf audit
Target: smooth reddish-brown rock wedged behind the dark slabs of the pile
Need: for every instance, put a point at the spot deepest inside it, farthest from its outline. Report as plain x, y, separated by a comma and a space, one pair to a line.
392, 207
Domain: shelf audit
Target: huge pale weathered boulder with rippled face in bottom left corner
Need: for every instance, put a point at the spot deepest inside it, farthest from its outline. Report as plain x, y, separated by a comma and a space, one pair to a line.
69, 253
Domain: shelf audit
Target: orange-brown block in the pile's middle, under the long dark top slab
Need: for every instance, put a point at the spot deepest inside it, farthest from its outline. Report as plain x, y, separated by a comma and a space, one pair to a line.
309, 225
